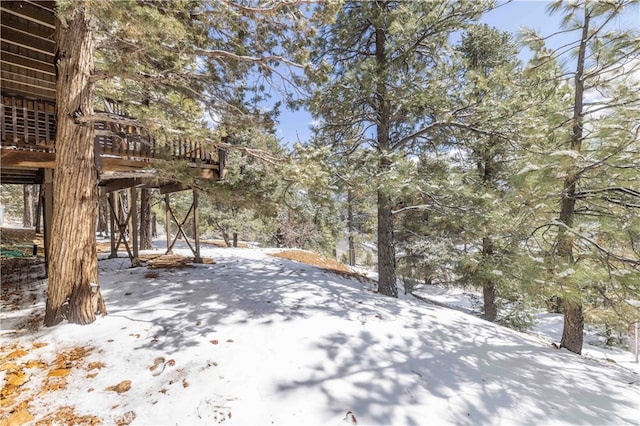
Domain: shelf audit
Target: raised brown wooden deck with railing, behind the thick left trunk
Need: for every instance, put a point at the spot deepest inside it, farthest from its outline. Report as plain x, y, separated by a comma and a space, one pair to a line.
28, 144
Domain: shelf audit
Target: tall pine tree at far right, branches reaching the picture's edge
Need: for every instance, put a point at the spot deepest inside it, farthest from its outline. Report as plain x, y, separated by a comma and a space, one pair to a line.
590, 144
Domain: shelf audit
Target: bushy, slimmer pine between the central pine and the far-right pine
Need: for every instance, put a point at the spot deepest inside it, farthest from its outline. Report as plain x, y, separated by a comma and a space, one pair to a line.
489, 65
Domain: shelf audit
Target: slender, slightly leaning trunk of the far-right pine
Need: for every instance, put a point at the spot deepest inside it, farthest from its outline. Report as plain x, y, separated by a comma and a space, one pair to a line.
572, 333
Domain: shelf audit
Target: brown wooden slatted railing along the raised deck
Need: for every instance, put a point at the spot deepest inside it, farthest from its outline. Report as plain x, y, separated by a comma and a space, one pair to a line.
30, 124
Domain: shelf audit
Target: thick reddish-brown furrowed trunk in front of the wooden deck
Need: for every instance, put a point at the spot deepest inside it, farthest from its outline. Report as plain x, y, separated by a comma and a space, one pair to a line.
73, 289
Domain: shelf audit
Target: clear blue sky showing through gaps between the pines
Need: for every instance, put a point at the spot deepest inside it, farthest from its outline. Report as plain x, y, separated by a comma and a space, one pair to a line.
510, 16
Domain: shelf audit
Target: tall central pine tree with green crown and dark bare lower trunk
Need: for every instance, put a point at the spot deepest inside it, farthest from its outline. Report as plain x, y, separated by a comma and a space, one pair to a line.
379, 69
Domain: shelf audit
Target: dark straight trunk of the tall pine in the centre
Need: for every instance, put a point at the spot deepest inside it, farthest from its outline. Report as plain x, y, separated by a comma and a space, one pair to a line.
387, 284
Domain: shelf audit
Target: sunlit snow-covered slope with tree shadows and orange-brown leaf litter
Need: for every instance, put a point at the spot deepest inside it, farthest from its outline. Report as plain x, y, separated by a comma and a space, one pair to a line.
260, 340
